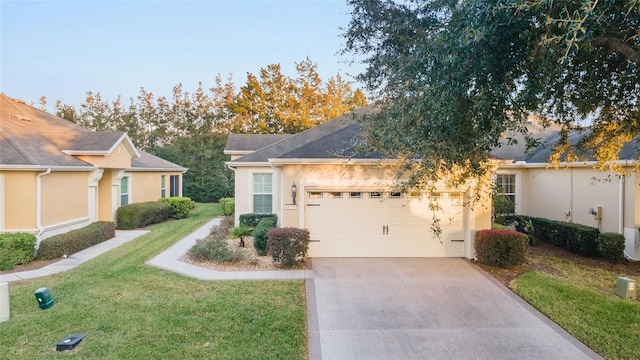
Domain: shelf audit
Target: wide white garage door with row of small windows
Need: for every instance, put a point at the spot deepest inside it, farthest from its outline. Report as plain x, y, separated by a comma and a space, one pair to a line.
383, 224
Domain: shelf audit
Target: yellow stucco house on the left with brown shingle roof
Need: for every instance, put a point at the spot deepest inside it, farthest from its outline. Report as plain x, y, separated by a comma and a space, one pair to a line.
56, 176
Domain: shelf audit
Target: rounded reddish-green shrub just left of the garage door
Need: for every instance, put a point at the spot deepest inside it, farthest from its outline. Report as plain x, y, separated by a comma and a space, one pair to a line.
288, 246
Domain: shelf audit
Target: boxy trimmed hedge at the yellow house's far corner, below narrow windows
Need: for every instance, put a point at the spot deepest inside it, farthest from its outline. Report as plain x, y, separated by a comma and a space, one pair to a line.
139, 215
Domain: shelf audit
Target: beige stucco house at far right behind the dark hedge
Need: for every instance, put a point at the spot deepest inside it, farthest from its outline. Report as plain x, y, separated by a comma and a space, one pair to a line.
575, 192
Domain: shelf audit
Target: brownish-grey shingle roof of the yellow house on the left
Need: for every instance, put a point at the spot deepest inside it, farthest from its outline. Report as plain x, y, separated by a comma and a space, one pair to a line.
33, 138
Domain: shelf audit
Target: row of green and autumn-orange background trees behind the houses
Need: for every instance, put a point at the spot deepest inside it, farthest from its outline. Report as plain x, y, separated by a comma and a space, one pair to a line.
191, 129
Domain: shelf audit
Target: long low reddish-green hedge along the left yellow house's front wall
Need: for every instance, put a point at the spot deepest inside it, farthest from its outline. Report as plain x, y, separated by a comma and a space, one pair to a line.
76, 240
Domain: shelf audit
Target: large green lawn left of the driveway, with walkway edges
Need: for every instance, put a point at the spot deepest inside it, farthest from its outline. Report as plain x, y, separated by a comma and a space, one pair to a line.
129, 310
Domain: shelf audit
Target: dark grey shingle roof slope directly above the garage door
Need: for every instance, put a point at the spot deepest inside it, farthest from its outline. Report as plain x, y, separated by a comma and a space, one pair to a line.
330, 140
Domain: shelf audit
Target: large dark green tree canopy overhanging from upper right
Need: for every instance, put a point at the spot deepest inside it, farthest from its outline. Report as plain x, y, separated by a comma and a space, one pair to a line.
453, 76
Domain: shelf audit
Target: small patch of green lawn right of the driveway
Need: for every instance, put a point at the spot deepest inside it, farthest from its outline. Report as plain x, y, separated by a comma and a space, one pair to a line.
575, 299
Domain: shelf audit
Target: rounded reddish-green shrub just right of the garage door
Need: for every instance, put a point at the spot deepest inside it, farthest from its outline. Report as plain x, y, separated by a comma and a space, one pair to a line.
503, 248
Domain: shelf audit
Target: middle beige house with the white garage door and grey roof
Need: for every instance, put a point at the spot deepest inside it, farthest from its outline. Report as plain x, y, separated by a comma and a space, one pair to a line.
347, 201
